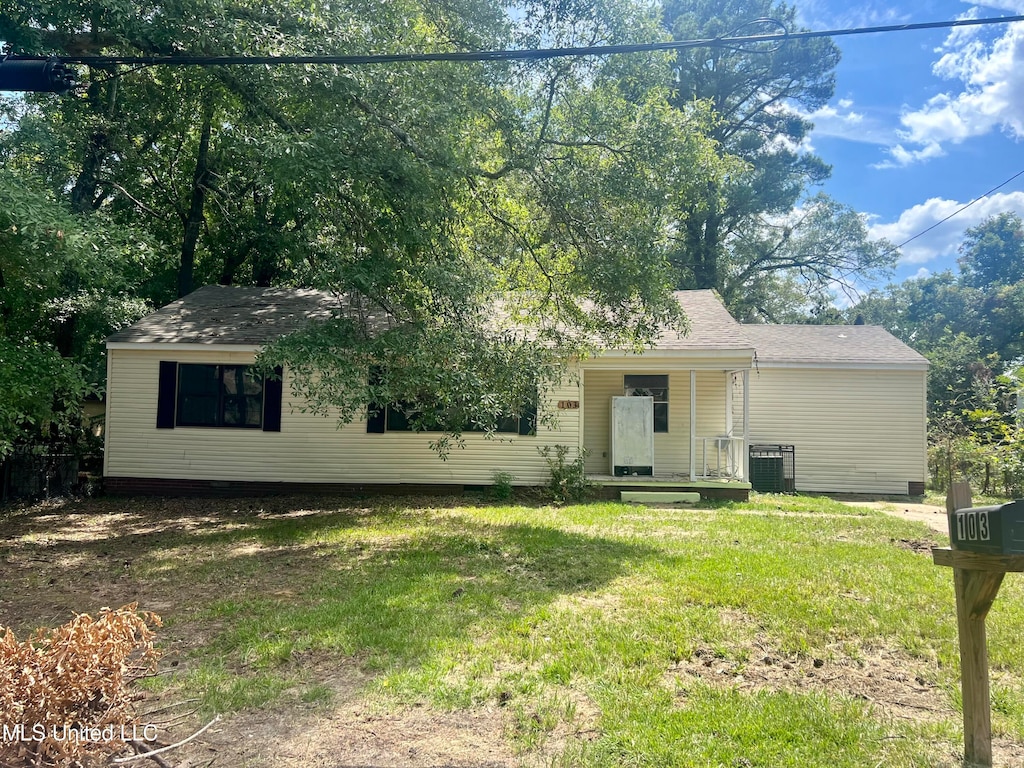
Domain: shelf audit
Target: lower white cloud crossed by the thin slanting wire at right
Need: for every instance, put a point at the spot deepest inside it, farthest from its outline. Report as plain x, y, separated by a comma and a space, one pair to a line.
946, 239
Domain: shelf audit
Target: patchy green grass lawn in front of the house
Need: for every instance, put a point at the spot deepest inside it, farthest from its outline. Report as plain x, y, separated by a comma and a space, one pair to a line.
591, 619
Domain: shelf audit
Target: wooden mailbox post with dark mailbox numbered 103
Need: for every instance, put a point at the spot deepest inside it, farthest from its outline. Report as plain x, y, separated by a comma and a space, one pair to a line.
988, 543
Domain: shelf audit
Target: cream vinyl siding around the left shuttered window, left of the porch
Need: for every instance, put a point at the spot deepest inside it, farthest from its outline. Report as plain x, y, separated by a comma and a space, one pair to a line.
310, 448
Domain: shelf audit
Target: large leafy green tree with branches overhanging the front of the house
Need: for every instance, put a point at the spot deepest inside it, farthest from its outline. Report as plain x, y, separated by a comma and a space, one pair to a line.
428, 195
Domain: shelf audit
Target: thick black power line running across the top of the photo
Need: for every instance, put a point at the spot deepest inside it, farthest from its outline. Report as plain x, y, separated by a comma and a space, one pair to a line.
527, 55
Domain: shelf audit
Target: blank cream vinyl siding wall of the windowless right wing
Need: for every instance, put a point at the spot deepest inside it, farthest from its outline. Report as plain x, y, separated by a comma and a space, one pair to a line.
855, 430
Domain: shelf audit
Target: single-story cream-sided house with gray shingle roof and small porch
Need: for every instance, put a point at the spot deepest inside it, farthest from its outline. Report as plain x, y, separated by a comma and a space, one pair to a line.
814, 408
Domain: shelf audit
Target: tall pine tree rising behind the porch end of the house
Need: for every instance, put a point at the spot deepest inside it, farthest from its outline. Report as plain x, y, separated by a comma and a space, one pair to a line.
749, 235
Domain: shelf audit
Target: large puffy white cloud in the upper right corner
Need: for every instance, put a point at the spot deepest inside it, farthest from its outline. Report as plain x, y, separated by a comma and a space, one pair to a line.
991, 97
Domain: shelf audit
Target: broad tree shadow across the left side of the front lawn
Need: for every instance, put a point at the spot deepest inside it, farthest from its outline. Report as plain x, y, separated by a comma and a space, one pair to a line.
262, 581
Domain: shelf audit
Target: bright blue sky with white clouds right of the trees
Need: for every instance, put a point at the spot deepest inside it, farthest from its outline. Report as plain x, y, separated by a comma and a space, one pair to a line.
923, 122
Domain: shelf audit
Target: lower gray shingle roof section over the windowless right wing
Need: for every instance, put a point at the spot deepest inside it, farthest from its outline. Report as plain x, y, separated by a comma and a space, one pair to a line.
836, 345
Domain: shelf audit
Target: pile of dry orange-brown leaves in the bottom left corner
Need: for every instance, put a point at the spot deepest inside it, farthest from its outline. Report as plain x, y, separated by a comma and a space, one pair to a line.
66, 694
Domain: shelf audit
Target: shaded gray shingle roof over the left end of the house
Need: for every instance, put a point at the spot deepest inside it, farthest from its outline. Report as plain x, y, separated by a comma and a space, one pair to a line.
226, 315
